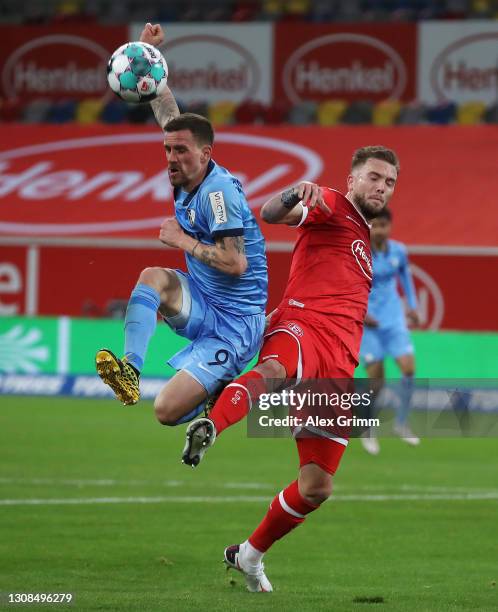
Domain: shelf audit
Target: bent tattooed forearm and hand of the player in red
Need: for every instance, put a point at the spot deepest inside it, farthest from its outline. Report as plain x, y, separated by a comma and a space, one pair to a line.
287, 207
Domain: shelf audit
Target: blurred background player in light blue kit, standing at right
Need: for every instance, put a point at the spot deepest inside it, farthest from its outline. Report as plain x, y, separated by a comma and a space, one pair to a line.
386, 331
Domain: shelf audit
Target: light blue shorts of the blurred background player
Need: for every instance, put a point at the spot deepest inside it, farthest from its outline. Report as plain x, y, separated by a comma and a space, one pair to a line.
379, 343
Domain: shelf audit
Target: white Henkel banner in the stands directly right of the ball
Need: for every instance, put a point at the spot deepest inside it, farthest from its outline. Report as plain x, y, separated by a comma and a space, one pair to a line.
209, 63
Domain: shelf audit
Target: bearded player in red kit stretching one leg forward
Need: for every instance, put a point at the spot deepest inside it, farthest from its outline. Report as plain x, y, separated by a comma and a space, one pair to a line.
314, 333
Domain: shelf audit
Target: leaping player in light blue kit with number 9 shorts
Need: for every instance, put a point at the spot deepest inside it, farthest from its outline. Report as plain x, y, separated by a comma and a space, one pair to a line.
219, 304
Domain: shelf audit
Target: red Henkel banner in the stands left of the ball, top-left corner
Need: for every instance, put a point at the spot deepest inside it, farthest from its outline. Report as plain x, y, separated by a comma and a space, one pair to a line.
56, 62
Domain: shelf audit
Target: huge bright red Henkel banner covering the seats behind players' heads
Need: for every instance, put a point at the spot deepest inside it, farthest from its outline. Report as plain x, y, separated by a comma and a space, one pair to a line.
68, 181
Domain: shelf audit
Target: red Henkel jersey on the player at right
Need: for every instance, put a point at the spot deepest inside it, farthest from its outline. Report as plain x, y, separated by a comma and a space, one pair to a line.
331, 270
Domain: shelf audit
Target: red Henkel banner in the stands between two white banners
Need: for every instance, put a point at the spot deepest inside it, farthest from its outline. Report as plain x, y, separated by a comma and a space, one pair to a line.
350, 62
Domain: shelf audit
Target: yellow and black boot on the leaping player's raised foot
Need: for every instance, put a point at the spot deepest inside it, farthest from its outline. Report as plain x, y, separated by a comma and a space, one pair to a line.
119, 375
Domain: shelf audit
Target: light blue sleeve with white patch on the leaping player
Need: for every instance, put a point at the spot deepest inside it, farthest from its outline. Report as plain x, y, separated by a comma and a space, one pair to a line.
222, 204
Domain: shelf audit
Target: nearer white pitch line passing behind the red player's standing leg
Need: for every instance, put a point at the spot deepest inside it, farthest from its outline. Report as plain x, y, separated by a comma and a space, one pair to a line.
242, 499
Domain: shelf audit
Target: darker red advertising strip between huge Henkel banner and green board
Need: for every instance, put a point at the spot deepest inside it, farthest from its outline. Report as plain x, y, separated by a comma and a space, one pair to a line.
454, 291
